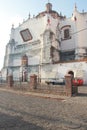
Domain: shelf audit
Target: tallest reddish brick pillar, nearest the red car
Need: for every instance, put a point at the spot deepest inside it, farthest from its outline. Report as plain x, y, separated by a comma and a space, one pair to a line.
68, 85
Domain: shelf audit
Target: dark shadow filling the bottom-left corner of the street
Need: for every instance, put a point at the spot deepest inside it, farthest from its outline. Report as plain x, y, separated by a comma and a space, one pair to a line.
8, 122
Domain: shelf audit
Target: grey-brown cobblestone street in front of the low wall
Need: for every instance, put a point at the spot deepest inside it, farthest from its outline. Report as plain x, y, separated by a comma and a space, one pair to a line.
27, 112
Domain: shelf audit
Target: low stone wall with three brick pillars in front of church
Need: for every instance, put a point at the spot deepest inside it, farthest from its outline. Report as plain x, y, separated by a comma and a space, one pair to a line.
33, 85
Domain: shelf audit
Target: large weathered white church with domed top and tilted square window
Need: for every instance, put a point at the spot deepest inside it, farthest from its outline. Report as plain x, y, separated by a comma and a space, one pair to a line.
48, 45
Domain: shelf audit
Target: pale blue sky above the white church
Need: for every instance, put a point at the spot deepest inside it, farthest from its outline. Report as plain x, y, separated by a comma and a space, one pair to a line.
14, 11
